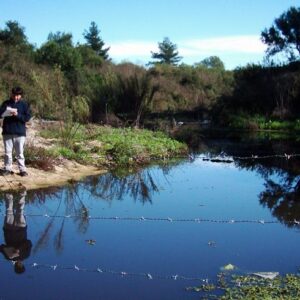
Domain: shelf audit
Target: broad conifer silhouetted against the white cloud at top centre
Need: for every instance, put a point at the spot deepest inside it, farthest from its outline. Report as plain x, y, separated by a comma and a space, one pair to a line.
167, 54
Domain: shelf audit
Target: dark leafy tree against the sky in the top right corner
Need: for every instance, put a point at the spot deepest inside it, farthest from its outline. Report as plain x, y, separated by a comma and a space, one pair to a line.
284, 34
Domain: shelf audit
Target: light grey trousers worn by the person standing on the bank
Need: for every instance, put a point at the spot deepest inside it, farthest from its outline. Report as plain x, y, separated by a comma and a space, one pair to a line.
12, 142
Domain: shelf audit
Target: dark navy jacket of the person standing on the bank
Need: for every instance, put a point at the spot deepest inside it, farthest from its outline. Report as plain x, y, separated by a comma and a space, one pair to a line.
15, 124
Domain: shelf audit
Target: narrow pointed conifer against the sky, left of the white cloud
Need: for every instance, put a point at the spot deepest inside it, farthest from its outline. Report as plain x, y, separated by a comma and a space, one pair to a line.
94, 41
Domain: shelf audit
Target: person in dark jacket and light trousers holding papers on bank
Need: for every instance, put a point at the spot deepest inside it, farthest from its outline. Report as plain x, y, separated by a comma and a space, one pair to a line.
16, 113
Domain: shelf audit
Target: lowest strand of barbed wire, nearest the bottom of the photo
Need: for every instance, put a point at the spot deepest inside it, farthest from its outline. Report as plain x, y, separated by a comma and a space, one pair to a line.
119, 273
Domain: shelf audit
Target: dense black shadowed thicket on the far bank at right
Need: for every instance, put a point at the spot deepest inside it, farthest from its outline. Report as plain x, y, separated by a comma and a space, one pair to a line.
272, 92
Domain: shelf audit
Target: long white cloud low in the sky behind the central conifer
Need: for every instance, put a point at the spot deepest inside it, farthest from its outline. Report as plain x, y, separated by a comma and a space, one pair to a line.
233, 50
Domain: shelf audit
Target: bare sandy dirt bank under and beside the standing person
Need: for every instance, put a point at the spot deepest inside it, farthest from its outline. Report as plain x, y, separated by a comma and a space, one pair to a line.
63, 173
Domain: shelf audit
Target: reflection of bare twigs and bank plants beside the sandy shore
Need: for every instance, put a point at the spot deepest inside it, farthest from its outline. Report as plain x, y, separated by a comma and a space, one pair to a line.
140, 185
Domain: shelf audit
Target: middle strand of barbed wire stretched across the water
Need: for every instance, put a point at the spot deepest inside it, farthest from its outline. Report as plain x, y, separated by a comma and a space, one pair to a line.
168, 219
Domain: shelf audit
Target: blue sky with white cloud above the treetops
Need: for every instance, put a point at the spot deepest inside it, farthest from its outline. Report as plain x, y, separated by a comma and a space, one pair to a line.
229, 29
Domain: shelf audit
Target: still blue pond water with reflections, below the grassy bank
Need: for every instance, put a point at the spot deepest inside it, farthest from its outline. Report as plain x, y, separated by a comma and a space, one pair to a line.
152, 233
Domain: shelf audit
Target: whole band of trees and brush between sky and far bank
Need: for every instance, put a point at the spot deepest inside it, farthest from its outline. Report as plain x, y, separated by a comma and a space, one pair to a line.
63, 79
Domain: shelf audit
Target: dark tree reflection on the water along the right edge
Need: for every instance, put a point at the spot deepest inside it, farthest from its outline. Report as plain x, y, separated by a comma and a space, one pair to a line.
281, 175
